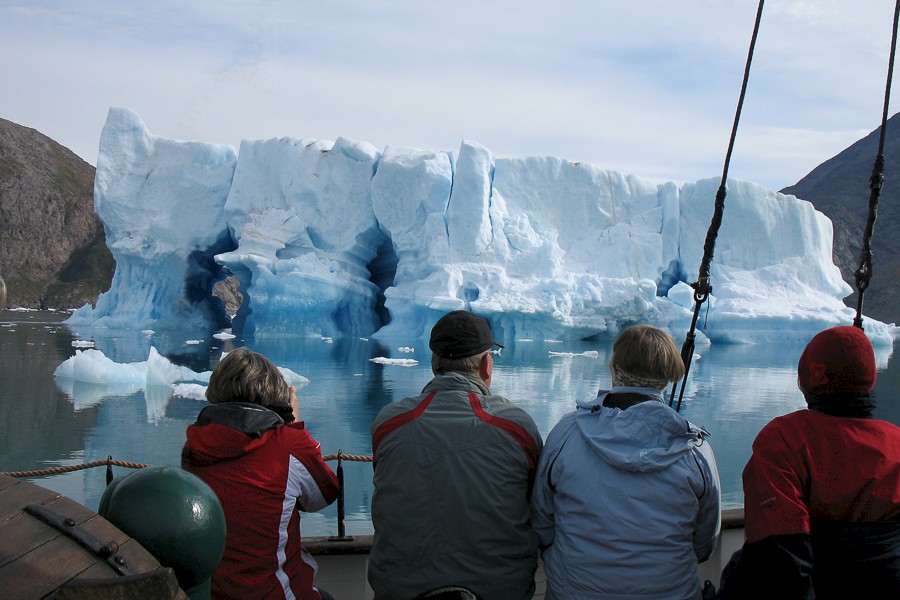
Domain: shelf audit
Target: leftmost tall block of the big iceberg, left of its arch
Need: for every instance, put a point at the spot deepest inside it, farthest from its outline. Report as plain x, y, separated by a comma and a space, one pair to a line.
164, 237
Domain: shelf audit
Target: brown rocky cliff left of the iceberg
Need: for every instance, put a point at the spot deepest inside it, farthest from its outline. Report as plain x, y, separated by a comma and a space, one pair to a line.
53, 250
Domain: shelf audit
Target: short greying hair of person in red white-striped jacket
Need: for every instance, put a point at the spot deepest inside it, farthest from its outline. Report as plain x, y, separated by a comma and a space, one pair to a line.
247, 376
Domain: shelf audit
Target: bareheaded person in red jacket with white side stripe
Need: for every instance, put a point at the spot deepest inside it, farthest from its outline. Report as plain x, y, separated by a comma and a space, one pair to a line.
249, 447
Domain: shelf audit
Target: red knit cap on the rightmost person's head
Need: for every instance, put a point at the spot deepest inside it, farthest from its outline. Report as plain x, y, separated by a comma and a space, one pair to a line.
840, 359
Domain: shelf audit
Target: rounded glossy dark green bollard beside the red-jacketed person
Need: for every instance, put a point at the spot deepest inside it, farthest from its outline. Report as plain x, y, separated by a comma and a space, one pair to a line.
176, 517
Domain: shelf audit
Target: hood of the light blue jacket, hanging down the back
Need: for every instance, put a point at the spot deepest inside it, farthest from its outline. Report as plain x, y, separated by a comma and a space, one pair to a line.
646, 437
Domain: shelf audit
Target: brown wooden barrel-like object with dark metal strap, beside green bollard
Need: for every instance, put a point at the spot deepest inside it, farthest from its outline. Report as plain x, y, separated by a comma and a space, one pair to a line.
51, 546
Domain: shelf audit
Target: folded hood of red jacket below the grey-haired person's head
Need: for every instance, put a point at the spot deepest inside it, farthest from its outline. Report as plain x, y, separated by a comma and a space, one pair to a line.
226, 431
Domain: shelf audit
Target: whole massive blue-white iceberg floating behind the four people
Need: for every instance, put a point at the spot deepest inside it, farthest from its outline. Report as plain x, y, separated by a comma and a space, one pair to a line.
339, 238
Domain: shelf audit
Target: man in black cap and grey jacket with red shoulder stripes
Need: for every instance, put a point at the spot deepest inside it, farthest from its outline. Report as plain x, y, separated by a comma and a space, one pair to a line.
454, 467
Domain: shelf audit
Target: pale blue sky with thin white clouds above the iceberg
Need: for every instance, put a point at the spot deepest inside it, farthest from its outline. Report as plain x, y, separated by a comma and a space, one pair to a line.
644, 87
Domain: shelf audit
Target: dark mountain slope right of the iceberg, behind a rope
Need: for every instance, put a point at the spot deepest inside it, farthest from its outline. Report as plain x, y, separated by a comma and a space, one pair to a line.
839, 187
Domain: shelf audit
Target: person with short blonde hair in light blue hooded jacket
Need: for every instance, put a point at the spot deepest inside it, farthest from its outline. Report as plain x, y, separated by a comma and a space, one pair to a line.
627, 497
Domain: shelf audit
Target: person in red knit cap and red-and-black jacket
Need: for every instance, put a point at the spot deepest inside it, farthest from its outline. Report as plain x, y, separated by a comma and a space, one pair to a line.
822, 487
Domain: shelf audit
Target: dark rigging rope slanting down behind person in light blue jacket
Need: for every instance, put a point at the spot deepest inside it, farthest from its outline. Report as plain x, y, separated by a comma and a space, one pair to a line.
702, 287
